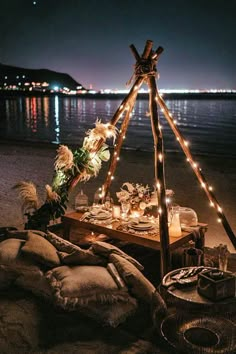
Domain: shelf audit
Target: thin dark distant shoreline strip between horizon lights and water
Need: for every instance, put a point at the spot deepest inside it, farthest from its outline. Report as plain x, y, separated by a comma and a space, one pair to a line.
144, 96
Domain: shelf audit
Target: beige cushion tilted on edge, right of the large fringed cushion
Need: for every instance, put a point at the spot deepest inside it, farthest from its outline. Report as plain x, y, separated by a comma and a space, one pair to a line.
139, 286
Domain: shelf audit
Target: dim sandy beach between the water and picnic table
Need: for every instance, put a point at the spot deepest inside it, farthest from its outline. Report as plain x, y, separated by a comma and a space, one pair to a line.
34, 162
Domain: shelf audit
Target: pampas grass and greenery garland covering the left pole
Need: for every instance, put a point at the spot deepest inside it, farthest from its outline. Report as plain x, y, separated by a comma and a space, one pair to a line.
70, 168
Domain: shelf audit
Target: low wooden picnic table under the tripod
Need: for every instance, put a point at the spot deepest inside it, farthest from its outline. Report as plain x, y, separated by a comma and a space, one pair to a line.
151, 241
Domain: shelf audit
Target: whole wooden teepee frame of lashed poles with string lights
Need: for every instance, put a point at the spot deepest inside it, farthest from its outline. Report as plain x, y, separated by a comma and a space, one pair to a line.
145, 71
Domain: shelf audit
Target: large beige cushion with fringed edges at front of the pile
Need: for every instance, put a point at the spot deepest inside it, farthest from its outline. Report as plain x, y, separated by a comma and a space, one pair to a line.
79, 285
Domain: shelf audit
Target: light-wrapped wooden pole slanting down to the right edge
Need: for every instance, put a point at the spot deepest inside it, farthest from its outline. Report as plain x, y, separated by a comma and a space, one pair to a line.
197, 170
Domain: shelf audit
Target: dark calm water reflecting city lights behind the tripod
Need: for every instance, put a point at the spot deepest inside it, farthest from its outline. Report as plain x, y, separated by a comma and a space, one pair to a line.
209, 125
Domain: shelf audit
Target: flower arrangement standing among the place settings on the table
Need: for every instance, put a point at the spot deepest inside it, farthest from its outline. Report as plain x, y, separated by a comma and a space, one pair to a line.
135, 193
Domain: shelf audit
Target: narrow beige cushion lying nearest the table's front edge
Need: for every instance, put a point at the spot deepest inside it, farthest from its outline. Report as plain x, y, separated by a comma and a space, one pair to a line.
105, 249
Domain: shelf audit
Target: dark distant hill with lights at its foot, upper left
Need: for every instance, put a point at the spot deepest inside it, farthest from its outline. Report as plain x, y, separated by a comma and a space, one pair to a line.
22, 78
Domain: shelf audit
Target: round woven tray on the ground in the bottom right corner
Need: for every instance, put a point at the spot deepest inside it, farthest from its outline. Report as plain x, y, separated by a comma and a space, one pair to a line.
196, 334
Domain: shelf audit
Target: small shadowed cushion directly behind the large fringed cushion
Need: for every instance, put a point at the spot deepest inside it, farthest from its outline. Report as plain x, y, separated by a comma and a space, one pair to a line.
81, 257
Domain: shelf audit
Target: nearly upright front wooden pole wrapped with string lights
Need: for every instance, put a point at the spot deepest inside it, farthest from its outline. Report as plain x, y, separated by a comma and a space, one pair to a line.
159, 177
